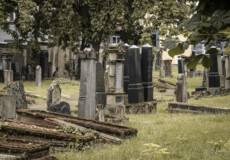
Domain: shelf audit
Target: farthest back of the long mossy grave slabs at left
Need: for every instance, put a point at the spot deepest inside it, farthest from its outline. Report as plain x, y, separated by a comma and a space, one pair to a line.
38, 117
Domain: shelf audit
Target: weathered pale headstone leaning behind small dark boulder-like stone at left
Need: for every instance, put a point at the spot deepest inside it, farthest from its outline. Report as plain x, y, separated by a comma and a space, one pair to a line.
53, 94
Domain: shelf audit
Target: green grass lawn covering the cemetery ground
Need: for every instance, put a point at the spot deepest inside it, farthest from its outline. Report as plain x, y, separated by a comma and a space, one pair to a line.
162, 135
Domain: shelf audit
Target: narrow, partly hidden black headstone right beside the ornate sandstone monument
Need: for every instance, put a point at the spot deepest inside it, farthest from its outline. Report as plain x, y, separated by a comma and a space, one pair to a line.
126, 69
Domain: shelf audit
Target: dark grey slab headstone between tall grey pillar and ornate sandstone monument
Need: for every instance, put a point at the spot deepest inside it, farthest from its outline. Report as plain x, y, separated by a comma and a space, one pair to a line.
100, 85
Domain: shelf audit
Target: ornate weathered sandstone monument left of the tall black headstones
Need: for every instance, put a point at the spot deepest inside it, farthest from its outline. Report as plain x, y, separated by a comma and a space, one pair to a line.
115, 96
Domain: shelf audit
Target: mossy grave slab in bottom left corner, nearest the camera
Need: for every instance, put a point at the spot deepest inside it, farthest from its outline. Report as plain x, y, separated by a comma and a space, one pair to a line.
23, 148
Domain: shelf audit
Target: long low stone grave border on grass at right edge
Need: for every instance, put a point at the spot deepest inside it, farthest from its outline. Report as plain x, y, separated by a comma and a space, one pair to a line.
191, 108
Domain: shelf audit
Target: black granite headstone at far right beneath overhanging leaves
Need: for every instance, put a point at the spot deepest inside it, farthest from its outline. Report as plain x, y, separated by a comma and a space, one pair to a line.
214, 78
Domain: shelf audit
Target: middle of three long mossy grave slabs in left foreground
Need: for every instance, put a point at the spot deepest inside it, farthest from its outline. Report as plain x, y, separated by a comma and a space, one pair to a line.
55, 136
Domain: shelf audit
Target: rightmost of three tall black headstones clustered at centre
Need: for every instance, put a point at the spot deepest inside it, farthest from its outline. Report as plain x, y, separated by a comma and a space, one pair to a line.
146, 70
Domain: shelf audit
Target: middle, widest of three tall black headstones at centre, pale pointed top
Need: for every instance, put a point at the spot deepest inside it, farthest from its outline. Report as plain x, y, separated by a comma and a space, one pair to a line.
135, 88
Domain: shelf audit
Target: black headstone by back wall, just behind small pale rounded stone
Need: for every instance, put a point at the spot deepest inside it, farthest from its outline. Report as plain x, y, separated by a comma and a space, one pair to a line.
44, 63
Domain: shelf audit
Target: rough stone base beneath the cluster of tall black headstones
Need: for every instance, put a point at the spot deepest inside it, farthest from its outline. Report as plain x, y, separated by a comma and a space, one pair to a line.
144, 107
